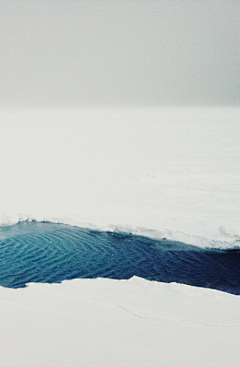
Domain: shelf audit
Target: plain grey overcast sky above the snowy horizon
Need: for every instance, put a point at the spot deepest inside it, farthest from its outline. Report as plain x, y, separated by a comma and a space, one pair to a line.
119, 53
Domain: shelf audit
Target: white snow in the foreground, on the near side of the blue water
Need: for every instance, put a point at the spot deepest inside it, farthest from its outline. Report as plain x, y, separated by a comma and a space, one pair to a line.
118, 323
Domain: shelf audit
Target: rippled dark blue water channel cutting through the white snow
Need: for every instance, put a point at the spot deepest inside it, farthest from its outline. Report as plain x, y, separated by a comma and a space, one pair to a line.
46, 252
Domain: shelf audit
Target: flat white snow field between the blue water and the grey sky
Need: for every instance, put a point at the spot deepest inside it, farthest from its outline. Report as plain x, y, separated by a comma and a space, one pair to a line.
170, 173
